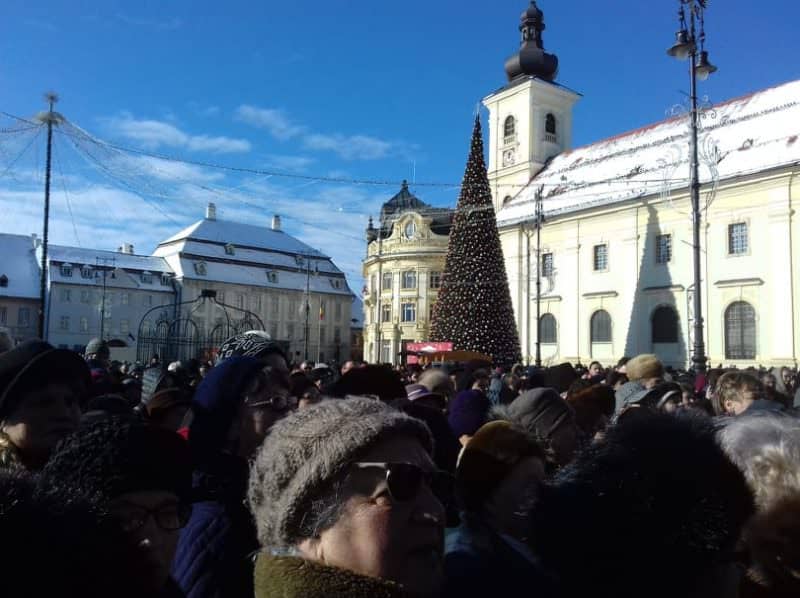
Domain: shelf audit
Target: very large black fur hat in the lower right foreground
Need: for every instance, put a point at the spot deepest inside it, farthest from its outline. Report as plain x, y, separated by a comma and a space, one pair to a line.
658, 493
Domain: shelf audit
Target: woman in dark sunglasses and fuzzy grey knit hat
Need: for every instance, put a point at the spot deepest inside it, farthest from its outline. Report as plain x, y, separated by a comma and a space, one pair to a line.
344, 495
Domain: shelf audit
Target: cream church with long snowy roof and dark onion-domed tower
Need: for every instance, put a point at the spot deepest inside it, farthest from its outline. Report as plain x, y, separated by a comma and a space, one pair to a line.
616, 245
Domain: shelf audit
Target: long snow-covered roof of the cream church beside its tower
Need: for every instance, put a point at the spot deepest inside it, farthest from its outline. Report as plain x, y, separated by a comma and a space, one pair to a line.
742, 136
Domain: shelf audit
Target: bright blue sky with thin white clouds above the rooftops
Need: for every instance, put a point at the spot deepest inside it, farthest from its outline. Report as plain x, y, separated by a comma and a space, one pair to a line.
354, 90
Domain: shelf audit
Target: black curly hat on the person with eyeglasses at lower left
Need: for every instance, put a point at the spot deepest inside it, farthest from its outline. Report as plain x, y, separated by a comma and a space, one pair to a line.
115, 455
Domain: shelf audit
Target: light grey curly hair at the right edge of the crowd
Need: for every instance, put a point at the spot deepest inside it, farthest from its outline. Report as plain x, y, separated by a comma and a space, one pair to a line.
767, 450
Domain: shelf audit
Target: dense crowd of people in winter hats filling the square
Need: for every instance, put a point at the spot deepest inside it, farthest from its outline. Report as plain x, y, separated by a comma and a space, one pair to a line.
256, 476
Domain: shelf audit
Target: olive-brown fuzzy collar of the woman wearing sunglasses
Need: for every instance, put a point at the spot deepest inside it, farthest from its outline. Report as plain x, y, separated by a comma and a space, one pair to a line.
294, 577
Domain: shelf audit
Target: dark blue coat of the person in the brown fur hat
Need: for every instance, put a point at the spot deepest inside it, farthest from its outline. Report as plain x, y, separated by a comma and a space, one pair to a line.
479, 562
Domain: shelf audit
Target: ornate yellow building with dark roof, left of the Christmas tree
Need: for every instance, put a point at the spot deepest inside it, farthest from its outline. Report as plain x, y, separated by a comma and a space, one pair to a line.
403, 272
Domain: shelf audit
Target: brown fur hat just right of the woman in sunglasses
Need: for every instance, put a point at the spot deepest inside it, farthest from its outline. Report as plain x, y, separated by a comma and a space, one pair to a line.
488, 458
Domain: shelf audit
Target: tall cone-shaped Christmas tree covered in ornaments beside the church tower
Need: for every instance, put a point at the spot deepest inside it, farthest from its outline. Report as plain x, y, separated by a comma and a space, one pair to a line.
474, 307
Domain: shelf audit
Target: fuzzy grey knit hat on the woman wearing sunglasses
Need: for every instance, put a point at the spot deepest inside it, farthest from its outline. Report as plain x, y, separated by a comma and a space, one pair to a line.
307, 450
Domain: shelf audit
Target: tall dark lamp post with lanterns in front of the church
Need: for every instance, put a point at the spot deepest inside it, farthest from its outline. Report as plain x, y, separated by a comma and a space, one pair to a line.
690, 43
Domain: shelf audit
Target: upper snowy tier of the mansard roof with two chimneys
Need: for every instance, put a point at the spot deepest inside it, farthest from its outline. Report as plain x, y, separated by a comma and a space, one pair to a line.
244, 235
